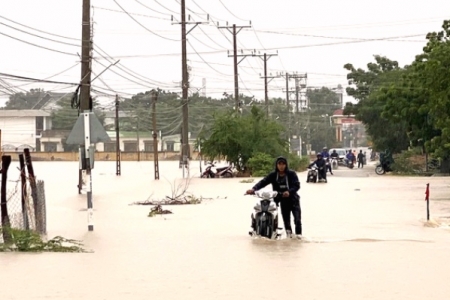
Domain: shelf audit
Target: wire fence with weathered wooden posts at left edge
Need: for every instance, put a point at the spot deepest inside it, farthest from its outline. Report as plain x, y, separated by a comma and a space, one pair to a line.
26, 208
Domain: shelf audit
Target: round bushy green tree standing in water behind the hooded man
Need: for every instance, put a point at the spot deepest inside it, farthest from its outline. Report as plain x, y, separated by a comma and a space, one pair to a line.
238, 139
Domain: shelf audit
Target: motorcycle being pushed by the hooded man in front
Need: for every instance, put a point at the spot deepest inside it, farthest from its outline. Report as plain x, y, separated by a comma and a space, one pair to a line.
265, 216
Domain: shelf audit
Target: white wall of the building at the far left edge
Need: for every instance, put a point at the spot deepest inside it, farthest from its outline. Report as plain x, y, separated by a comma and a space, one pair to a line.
18, 131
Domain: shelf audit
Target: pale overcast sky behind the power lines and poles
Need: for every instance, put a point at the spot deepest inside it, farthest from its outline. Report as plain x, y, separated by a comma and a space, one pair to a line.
314, 37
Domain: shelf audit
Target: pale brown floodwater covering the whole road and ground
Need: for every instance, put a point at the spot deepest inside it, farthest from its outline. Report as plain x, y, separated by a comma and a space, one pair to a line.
366, 237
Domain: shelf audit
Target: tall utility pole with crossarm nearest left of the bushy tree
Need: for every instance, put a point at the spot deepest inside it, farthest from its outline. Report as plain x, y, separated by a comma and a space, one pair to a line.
185, 85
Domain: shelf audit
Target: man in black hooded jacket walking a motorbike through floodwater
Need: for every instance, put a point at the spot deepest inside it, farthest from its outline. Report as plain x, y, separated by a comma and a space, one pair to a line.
286, 183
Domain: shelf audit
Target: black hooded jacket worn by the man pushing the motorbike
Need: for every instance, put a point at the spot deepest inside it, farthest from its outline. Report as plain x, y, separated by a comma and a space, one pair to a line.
272, 178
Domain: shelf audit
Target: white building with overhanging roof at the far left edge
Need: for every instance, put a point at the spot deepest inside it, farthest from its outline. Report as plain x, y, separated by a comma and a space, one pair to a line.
23, 128
